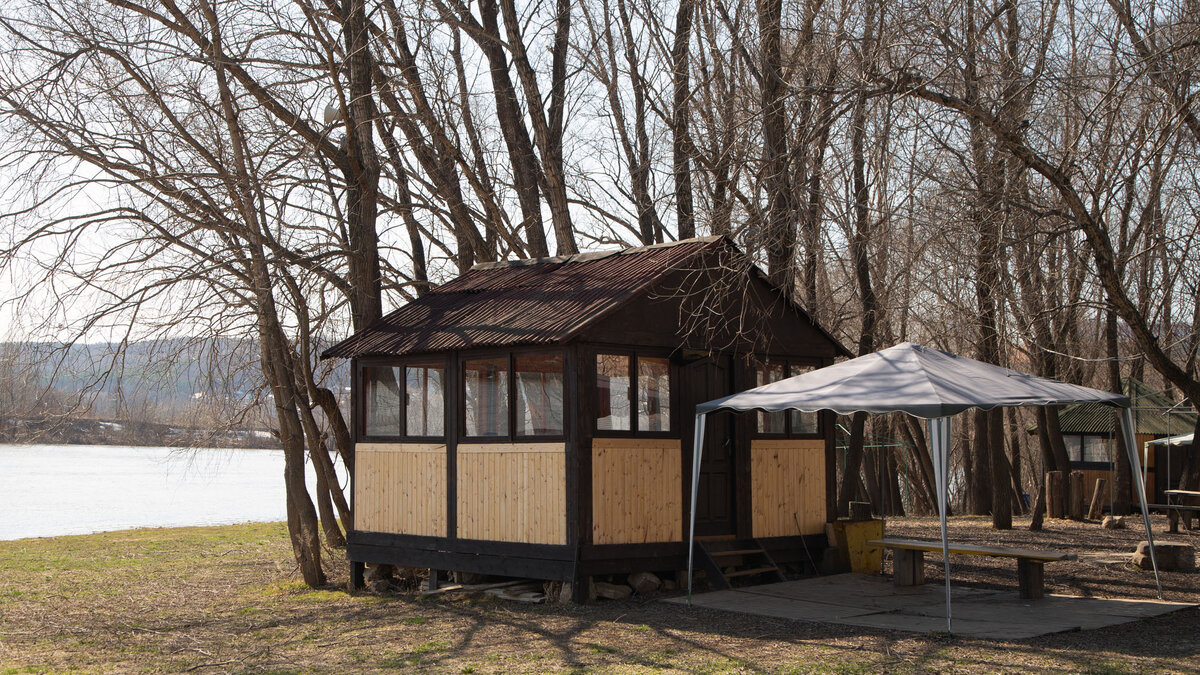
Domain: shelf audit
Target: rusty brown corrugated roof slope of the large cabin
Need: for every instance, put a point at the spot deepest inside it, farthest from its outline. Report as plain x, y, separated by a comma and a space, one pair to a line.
542, 301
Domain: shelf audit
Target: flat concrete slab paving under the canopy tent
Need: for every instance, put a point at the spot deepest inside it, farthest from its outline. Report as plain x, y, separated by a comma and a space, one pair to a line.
873, 601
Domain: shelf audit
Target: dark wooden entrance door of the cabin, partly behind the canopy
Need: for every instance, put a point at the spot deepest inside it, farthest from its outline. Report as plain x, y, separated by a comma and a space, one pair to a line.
717, 499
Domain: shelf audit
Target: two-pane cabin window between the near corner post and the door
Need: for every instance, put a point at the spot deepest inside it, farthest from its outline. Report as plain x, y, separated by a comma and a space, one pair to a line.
623, 380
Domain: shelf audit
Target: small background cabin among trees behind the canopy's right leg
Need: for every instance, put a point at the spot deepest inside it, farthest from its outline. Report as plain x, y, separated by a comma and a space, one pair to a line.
1089, 434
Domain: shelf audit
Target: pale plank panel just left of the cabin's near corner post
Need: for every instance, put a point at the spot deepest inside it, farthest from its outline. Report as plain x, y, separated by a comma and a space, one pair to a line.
513, 493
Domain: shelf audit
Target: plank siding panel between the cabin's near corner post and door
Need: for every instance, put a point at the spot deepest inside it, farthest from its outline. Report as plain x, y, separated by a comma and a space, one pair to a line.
637, 495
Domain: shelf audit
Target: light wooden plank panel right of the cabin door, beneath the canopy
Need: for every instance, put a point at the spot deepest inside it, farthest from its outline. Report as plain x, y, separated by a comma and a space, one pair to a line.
788, 480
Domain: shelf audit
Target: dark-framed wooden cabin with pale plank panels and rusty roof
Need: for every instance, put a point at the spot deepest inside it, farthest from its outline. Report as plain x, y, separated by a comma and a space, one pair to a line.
535, 419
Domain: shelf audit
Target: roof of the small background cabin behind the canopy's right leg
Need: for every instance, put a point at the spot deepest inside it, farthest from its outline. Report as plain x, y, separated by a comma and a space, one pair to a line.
1150, 414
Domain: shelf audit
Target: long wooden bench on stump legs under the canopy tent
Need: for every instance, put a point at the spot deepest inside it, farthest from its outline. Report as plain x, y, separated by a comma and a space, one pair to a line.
910, 561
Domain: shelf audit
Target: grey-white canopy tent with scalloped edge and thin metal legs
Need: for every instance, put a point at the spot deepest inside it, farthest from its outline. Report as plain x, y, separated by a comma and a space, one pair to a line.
926, 384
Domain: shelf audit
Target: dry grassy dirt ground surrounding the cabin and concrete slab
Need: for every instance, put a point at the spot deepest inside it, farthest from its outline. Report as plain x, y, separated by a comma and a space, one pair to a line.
229, 600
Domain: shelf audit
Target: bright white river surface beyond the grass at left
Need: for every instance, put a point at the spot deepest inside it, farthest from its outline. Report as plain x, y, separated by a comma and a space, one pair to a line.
51, 491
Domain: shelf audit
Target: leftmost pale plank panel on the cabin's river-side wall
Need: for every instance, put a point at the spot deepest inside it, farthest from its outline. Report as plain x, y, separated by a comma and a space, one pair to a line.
400, 488
